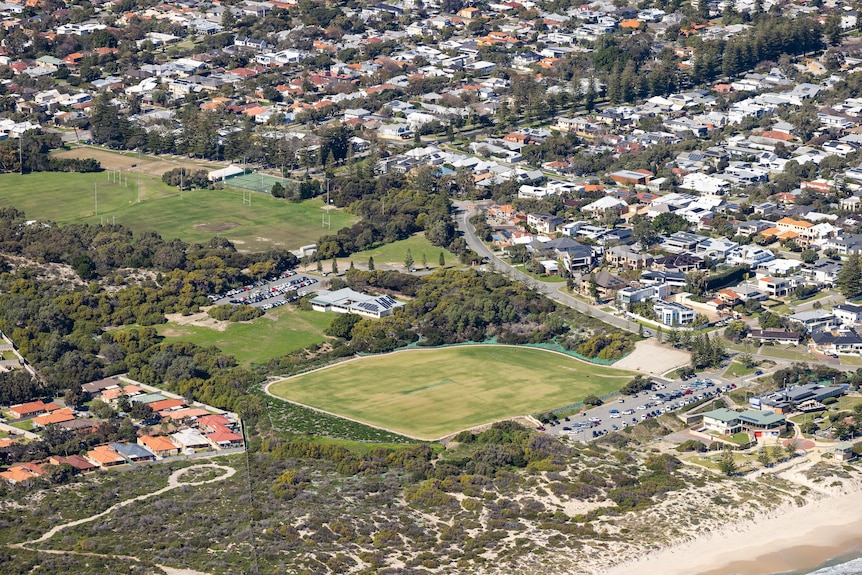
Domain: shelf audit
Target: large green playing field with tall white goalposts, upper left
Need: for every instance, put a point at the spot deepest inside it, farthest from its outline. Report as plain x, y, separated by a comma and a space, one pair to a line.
197, 217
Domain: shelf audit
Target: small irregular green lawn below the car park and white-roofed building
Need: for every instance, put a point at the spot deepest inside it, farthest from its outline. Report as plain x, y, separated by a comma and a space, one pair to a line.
259, 340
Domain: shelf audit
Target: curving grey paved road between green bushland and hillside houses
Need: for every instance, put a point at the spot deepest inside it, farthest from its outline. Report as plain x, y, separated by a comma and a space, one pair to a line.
468, 209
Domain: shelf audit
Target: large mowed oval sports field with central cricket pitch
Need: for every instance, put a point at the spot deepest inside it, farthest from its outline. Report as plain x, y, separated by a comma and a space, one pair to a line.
429, 394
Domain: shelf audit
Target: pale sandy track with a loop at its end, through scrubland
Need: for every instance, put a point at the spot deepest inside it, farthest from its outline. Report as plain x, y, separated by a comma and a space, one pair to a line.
173, 483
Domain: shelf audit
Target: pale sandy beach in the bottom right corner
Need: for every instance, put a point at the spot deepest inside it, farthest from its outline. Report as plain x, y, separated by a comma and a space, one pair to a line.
787, 539
